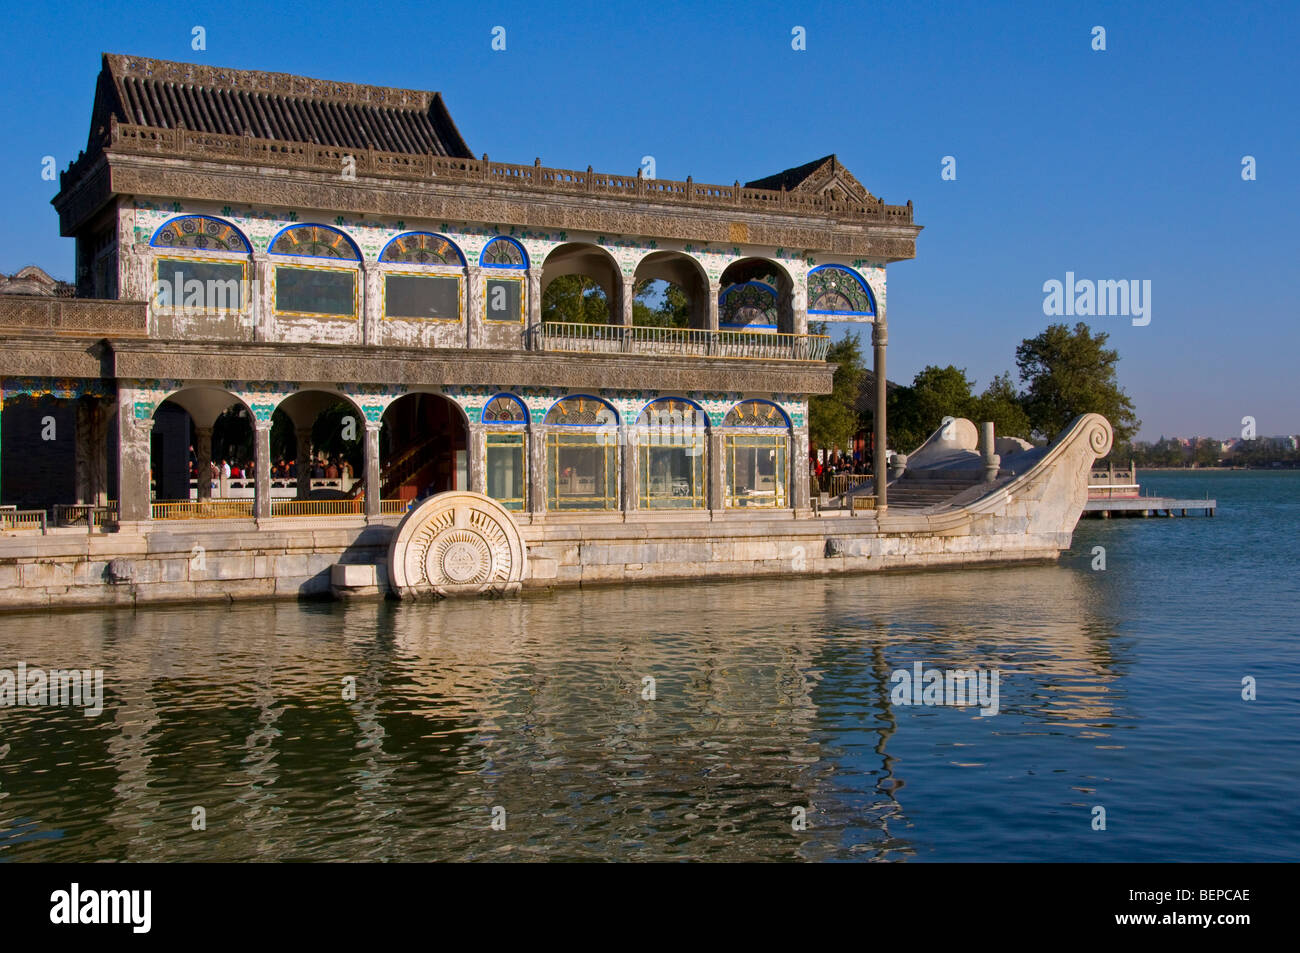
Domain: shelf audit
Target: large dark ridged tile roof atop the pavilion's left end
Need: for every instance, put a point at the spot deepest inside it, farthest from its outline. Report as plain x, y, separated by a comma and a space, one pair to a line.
274, 106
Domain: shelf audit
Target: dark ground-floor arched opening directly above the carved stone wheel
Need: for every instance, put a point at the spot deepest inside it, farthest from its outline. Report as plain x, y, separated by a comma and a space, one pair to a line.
424, 448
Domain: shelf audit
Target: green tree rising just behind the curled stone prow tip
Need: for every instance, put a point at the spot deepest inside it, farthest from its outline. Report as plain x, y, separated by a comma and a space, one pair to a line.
1068, 374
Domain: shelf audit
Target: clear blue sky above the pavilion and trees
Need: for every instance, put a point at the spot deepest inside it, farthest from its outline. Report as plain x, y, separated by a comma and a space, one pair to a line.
1117, 164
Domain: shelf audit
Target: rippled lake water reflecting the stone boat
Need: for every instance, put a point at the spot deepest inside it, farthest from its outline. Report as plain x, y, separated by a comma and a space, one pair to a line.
1119, 688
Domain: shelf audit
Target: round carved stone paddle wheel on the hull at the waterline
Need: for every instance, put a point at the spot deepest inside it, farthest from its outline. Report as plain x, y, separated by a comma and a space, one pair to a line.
457, 544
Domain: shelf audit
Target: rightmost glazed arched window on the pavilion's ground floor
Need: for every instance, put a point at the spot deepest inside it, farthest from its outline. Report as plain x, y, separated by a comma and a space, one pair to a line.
757, 465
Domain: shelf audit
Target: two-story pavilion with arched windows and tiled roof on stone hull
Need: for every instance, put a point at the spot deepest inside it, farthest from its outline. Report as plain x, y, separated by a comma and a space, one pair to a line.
272, 248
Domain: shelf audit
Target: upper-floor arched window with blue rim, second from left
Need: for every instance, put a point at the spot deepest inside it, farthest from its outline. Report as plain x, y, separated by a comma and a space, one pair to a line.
314, 291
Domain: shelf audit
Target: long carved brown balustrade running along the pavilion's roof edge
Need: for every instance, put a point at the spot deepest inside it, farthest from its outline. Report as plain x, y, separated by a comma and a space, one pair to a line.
187, 144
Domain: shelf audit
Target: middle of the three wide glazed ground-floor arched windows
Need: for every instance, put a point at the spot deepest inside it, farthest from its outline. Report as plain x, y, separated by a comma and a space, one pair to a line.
671, 445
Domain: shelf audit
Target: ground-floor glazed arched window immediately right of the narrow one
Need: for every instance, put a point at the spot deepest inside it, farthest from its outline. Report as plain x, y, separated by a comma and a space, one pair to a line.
583, 456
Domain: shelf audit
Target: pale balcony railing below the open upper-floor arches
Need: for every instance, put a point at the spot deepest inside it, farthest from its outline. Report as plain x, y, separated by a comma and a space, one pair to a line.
610, 339
